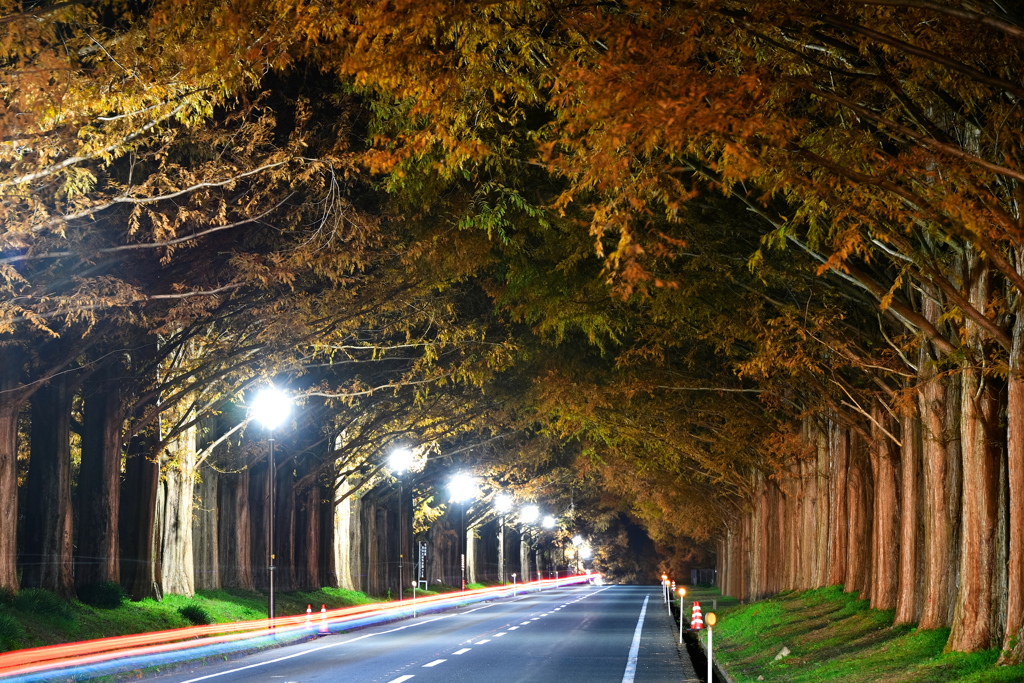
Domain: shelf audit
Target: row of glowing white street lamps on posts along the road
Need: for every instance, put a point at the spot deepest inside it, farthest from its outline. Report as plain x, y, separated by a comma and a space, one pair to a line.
272, 408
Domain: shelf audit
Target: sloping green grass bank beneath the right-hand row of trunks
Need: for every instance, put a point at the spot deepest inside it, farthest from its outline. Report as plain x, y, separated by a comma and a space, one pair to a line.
835, 637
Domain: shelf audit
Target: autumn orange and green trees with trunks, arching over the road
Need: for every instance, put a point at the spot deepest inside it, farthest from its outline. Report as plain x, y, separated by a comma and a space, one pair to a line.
760, 262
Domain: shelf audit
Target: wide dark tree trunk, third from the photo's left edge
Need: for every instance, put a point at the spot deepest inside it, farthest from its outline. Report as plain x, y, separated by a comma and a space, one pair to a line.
98, 560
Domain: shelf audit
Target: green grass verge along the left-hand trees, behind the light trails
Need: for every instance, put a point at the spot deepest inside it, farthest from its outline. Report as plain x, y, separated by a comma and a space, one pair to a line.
36, 618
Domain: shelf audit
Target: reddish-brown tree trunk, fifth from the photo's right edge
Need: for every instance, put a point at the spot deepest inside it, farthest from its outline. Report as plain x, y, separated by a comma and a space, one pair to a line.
886, 517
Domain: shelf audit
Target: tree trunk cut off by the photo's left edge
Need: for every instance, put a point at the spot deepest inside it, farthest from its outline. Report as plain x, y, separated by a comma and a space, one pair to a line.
11, 405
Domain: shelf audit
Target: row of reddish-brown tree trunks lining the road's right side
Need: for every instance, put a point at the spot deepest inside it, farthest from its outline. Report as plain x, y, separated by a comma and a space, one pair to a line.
883, 503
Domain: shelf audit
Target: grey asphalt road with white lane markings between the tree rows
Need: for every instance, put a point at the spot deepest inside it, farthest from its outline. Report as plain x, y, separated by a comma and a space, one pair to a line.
613, 634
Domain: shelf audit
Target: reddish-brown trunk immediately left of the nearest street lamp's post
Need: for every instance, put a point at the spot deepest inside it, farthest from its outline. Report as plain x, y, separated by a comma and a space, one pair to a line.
234, 540
